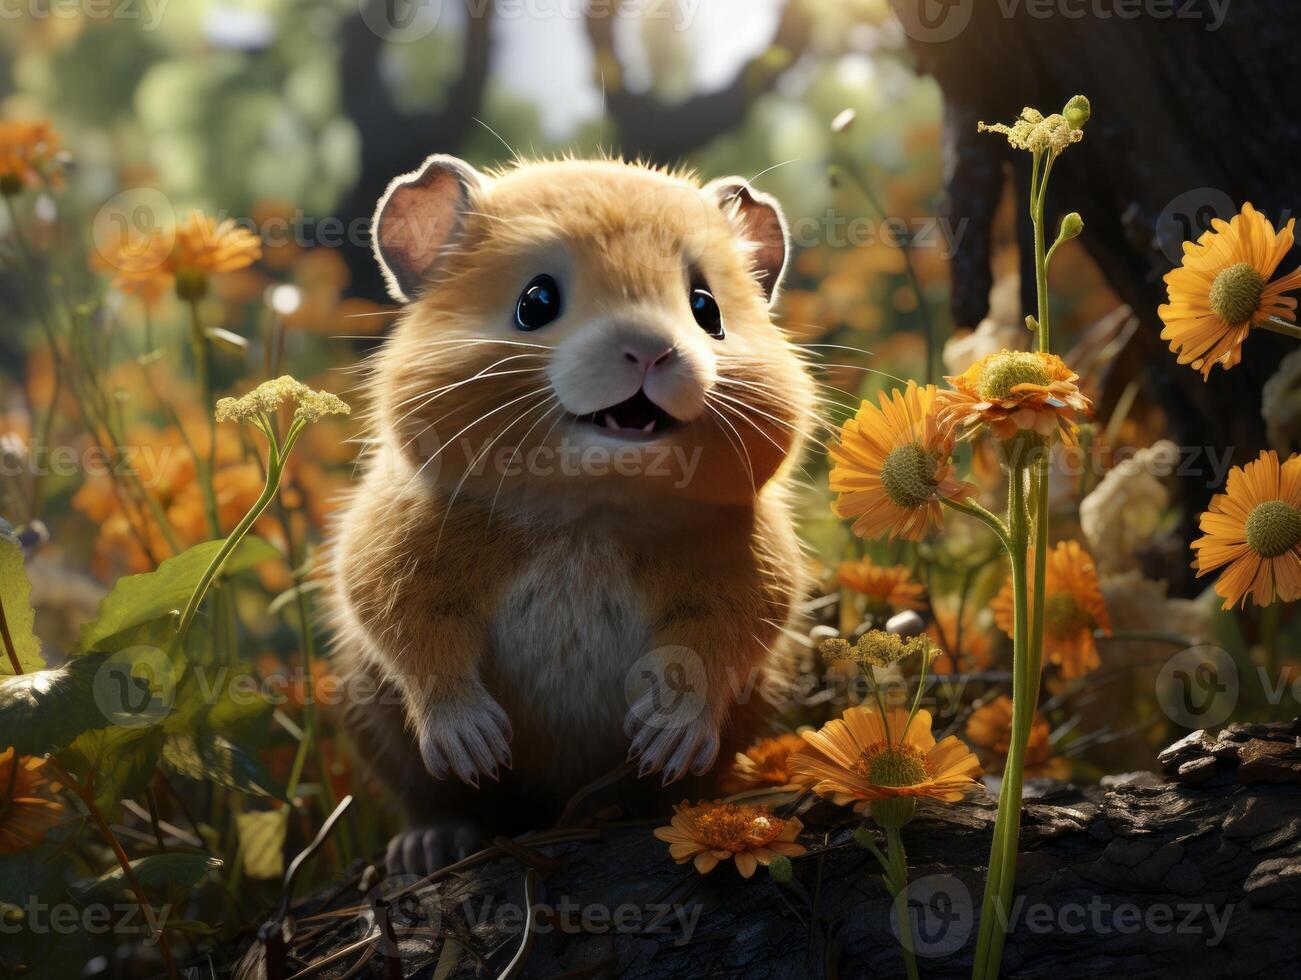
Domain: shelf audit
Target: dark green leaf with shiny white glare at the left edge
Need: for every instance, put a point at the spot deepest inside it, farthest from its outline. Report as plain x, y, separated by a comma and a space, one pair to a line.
44, 711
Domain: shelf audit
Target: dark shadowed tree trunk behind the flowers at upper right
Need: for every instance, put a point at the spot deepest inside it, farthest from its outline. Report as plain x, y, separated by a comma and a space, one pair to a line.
1191, 120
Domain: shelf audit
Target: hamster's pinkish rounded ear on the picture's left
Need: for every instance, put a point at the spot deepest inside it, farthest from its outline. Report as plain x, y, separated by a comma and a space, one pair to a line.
420, 215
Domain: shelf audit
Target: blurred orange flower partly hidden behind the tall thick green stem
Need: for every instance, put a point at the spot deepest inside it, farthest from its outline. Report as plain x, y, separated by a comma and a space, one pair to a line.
1073, 610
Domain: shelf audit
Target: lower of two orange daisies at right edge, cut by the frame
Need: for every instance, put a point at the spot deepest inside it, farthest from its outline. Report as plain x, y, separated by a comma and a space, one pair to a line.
1254, 532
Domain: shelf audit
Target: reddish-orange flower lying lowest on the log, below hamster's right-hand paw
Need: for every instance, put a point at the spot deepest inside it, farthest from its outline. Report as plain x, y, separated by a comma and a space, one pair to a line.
708, 834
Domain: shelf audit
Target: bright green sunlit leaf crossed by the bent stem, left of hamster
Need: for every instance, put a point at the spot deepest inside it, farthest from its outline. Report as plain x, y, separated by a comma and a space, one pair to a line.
155, 595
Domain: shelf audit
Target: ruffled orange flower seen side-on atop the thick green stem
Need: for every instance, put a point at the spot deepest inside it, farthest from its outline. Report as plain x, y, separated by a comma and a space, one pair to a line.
1013, 392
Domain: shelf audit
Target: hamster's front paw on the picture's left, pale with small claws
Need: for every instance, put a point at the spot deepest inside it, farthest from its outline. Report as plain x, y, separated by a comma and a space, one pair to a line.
468, 739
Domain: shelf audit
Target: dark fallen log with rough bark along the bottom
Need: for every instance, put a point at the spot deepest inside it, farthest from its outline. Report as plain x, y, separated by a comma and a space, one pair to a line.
1198, 877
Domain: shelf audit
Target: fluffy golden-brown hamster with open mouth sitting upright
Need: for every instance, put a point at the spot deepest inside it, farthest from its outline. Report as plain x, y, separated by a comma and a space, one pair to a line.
572, 546
